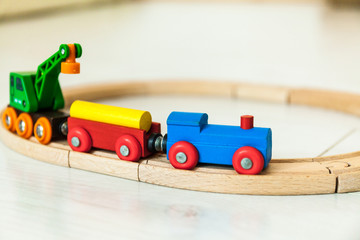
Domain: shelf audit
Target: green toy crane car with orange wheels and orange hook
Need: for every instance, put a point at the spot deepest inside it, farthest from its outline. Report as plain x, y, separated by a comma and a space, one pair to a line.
36, 97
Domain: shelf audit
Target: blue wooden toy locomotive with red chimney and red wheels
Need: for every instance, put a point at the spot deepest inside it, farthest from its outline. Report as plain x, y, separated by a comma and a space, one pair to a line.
190, 139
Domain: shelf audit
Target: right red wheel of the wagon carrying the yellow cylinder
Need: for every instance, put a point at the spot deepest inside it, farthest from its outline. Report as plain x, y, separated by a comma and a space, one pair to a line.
128, 148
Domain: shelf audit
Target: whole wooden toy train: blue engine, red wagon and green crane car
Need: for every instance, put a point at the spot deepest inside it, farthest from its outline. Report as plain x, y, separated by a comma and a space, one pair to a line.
37, 97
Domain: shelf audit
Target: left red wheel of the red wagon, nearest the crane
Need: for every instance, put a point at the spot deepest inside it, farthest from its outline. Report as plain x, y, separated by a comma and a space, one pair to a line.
79, 140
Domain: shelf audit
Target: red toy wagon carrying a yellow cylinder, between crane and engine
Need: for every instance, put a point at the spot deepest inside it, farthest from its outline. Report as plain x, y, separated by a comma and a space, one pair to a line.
129, 143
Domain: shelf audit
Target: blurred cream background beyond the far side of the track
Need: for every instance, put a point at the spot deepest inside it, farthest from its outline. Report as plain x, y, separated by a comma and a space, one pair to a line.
310, 43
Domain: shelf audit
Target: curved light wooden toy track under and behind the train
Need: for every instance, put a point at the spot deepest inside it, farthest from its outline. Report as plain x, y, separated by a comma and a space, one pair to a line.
333, 174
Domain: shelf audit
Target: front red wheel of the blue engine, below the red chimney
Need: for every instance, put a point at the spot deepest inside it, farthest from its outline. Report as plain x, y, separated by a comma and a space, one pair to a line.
248, 160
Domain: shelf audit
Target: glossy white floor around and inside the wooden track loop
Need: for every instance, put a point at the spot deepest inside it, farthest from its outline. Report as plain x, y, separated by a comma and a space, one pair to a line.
301, 45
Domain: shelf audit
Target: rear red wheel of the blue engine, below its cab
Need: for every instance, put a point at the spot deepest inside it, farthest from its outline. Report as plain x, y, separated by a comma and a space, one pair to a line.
183, 155
